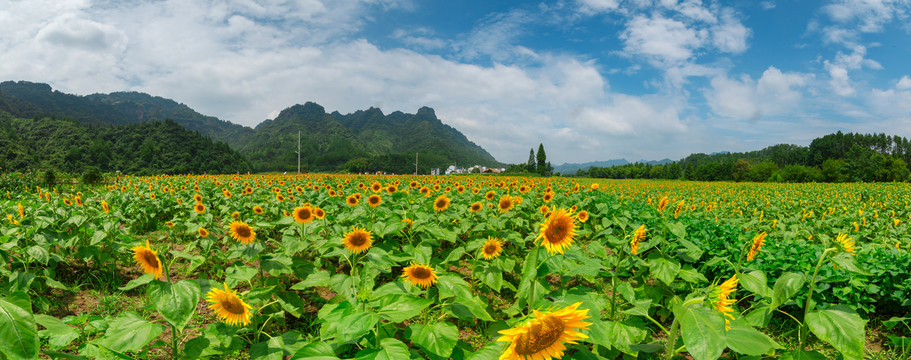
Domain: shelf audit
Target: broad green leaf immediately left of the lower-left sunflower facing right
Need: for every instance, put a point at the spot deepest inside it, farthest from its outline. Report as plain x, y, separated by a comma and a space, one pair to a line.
176, 302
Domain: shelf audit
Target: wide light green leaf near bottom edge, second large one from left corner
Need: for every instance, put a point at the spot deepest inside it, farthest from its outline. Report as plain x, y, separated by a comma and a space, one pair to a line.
129, 332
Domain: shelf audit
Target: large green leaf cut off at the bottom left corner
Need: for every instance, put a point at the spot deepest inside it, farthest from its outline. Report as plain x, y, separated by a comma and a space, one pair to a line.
18, 332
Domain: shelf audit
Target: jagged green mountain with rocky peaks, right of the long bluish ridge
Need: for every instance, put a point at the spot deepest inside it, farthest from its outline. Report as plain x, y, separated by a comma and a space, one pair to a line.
362, 141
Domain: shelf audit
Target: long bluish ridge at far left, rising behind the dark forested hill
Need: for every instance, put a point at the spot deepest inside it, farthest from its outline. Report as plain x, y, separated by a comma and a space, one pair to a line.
30, 100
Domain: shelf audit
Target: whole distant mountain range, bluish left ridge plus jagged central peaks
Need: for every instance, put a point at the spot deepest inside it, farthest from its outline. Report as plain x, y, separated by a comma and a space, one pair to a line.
365, 140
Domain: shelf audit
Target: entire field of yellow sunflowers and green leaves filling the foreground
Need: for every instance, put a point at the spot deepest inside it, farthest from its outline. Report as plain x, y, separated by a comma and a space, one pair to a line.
464, 267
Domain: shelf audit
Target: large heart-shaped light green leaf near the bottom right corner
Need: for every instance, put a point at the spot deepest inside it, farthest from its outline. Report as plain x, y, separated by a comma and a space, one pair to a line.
841, 327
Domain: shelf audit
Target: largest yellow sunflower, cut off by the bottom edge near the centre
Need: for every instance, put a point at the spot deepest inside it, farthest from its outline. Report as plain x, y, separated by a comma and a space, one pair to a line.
543, 337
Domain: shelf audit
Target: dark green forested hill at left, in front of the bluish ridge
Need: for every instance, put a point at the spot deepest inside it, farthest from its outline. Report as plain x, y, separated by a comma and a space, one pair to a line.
143, 149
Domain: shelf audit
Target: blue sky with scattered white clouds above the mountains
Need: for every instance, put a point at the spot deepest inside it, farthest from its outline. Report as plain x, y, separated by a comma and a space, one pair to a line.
590, 79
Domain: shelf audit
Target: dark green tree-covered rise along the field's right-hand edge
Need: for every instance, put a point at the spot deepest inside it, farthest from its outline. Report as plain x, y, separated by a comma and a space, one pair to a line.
835, 157
